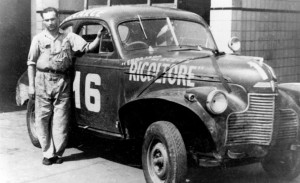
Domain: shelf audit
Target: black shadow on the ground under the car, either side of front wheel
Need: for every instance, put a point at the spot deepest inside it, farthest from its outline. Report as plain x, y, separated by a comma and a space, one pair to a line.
129, 154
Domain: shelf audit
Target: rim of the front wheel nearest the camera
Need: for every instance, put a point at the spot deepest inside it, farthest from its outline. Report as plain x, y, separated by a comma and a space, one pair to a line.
158, 161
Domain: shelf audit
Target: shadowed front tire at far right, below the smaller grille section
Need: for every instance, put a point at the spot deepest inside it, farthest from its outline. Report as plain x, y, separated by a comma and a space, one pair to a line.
282, 164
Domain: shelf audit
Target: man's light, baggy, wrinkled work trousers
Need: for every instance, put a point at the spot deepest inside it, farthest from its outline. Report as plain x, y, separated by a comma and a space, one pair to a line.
52, 111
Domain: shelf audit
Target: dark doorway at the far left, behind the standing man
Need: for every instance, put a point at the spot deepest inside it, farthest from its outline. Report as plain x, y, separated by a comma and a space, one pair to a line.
15, 25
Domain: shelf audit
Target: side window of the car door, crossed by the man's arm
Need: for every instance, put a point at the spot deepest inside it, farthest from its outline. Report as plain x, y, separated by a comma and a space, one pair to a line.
89, 32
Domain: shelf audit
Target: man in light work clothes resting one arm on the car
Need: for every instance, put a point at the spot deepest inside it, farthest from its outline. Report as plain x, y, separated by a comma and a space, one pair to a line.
49, 60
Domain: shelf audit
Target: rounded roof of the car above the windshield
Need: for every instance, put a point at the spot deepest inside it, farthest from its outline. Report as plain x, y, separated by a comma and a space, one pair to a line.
120, 13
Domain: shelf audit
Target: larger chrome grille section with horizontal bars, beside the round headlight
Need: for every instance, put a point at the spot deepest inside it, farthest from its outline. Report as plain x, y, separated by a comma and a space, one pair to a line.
255, 124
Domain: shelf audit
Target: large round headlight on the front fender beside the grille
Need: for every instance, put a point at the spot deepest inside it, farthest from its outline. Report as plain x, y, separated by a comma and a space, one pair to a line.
216, 102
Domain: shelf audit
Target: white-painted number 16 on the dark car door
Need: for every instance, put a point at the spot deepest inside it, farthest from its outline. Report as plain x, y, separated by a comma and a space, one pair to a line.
92, 95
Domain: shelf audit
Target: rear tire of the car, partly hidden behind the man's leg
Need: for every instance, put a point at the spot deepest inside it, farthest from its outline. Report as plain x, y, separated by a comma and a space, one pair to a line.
30, 119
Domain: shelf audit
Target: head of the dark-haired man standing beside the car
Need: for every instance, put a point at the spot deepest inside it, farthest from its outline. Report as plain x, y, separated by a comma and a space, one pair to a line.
50, 18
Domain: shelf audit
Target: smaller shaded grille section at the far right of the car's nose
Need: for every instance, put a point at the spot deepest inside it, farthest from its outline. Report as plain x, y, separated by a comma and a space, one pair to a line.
287, 124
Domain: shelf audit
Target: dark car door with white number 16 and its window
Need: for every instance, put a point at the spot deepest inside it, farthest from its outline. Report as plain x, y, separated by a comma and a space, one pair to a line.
96, 83
